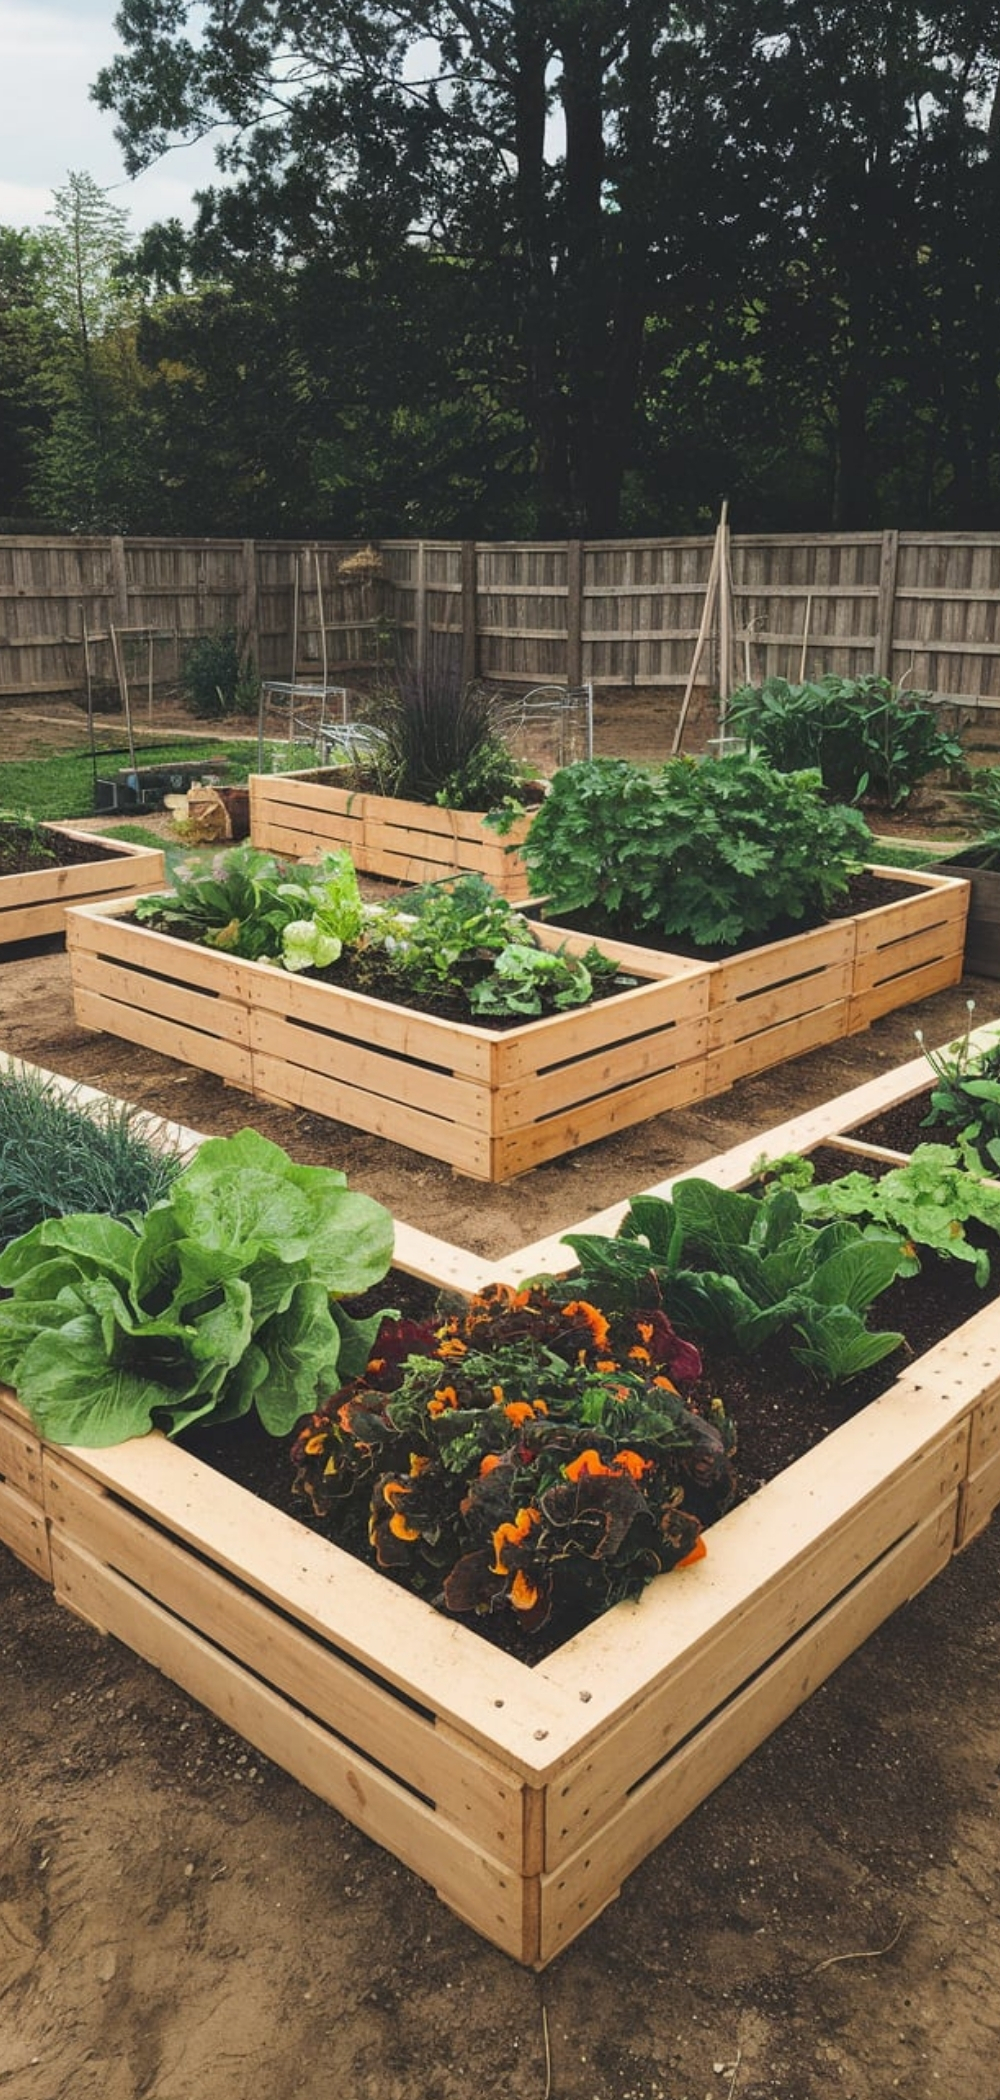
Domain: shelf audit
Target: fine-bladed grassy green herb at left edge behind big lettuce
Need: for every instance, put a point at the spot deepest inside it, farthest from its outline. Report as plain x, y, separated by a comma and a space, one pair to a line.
64, 1154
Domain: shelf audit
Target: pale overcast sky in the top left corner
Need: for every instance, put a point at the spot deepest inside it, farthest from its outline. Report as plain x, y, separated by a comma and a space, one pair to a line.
49, 56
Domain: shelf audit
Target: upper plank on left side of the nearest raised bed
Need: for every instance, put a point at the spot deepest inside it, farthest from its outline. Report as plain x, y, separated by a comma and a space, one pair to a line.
463, 1784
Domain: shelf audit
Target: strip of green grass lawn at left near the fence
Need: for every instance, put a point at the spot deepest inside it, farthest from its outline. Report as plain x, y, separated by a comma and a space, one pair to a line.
64, 784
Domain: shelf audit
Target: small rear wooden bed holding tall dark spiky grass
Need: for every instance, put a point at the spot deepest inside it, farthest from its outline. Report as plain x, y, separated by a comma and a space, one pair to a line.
301, 816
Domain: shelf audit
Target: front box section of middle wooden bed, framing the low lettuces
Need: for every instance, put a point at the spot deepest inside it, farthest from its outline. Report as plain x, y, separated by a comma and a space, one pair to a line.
488, 1104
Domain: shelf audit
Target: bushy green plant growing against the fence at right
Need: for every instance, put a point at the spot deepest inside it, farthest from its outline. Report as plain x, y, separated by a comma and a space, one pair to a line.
867, 738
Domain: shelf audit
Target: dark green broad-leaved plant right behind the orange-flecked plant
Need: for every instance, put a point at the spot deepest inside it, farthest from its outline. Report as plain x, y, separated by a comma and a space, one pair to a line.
745, 1272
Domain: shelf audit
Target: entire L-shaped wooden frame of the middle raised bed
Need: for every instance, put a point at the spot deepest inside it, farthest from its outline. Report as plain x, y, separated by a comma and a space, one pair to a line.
501, 1104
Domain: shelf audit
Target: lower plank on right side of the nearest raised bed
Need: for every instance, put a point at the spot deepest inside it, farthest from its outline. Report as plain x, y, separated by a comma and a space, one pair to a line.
593, 1876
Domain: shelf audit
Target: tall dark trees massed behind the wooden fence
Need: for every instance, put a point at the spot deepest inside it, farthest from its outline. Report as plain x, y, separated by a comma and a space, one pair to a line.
566, 266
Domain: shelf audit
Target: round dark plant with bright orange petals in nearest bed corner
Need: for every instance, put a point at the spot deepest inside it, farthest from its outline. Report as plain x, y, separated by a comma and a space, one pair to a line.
522, 1458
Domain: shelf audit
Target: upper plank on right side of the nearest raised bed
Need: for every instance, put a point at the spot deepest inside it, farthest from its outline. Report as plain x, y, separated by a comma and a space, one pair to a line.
776, 1610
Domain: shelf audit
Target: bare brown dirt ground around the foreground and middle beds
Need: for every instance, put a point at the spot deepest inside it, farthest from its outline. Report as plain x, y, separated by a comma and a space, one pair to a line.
182, 1920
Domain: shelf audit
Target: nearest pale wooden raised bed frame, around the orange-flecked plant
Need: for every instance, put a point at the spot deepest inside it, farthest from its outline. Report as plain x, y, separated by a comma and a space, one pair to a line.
524, 1797
